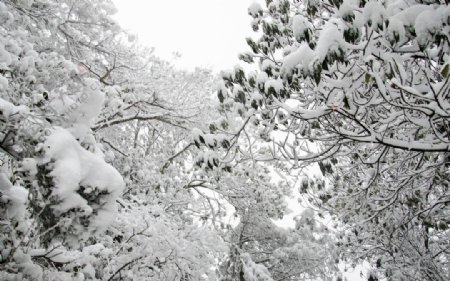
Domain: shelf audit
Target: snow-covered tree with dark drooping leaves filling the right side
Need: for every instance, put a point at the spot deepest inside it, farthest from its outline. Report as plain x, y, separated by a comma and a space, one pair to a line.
362, 89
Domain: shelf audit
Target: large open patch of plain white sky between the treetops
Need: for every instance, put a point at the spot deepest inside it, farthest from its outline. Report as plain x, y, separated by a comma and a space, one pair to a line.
207, 33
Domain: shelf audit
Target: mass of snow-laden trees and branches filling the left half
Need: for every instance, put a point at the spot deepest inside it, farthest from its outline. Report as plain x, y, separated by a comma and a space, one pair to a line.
73, 87
